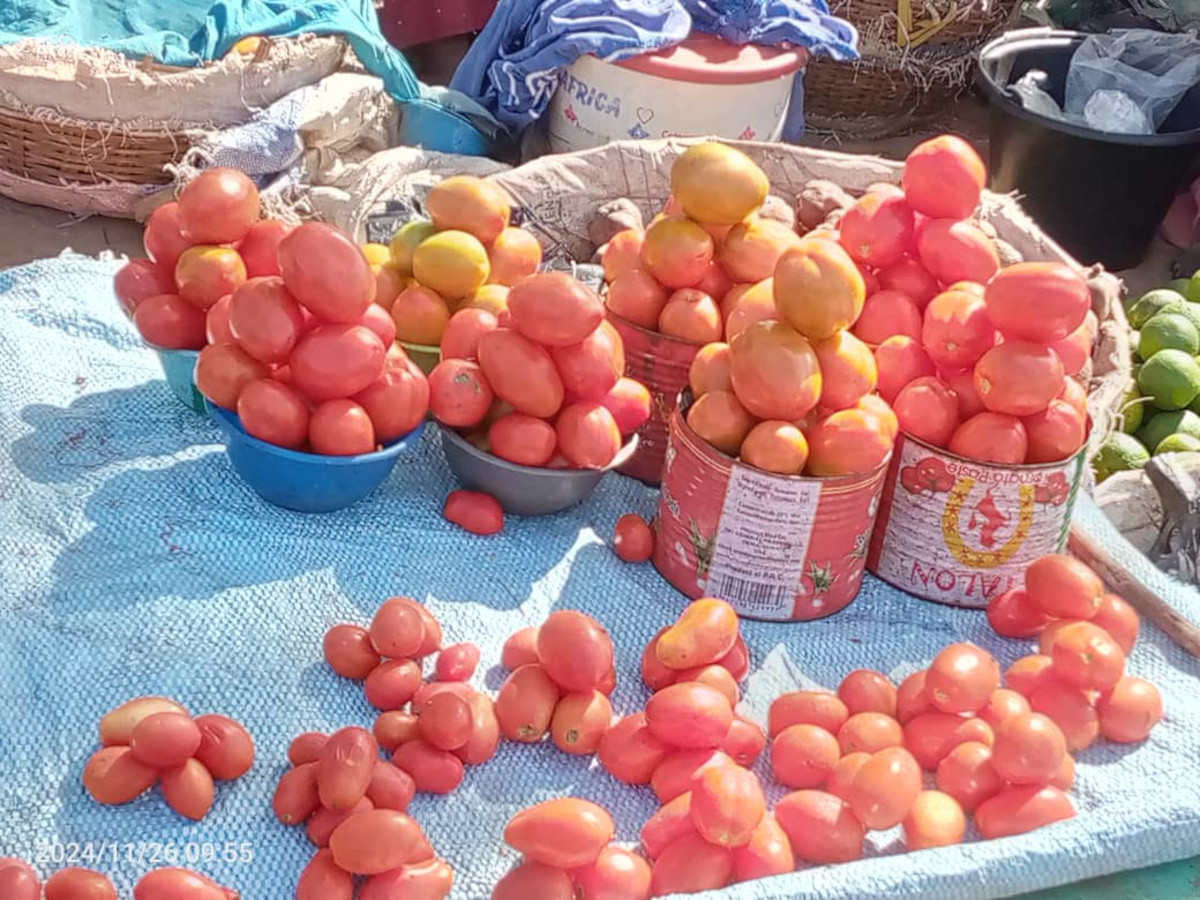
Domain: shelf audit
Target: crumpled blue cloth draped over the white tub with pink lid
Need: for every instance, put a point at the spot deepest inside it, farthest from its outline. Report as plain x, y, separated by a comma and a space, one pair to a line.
514, 65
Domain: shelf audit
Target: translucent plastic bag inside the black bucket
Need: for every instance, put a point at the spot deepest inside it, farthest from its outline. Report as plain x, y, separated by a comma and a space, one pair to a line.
1153, 69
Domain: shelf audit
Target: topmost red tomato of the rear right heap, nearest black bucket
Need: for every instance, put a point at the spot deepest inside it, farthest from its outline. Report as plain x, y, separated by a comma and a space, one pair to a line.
944, 178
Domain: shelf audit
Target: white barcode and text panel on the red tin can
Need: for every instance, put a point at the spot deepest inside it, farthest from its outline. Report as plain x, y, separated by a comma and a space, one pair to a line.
763, 542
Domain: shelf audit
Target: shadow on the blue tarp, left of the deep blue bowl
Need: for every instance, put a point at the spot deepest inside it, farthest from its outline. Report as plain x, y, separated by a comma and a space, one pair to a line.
99, 430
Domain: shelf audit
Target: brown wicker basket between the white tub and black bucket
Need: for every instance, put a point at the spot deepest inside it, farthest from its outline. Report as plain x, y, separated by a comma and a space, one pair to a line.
915, 63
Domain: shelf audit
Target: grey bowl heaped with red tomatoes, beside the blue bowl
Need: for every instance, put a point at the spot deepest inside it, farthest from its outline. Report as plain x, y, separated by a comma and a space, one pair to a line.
524, 490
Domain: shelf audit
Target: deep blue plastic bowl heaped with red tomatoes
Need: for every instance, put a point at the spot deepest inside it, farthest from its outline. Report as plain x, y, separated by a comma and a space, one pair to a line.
307, 483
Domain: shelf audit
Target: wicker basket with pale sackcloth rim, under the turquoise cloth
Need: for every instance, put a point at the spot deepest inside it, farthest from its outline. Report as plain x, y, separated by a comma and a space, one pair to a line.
91, 131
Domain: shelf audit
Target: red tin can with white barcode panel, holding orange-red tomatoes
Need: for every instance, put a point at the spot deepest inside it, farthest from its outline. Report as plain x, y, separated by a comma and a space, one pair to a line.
781, 548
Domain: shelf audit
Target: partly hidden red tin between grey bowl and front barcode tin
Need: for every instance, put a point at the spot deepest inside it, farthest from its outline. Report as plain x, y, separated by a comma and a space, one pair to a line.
662, 364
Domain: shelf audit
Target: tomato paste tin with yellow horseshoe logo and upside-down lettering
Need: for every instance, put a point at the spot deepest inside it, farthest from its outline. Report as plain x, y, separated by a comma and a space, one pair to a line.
961, 532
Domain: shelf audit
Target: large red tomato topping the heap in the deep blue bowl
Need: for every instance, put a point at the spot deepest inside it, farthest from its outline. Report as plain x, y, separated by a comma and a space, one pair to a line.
327, 272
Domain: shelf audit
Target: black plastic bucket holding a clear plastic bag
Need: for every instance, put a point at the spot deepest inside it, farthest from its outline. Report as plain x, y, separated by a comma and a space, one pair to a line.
1101, 196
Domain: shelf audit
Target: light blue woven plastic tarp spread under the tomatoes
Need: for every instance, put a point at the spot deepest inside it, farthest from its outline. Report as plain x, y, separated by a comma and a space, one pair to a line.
135, 562
